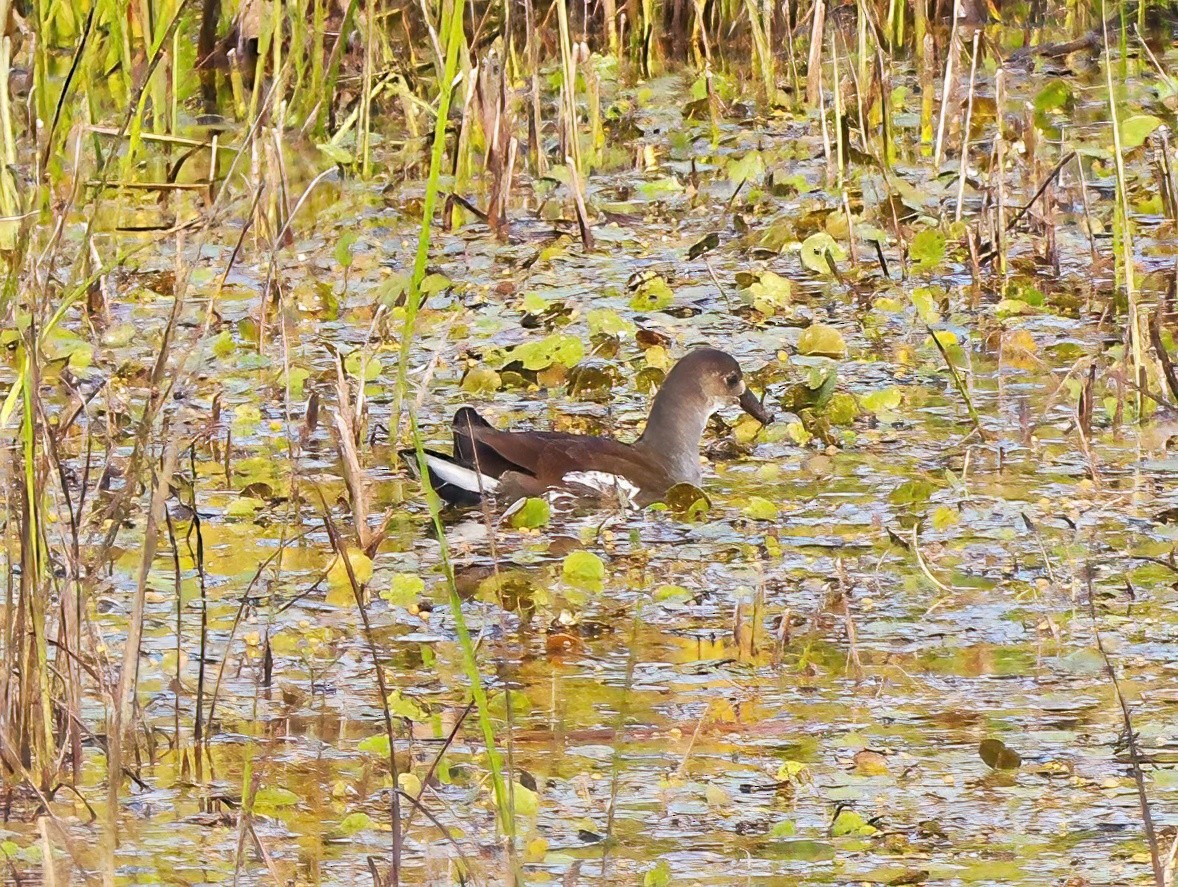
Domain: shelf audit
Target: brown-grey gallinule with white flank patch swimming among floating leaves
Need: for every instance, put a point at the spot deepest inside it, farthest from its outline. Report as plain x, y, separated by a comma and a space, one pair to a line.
513, 465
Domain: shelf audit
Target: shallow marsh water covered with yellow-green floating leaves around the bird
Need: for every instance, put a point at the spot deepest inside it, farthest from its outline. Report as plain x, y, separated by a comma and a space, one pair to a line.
800, 683
